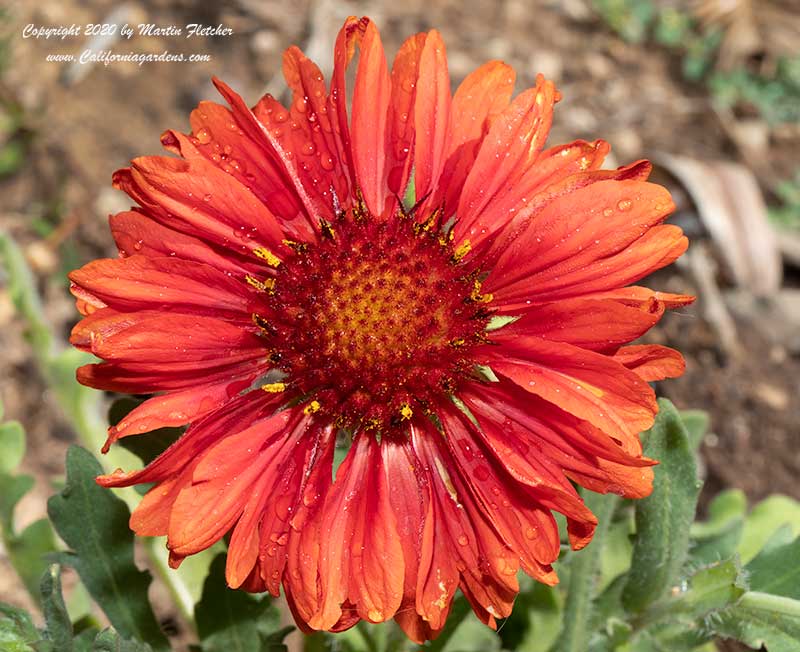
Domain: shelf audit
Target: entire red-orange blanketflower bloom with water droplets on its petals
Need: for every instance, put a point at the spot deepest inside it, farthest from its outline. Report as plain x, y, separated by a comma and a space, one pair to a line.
276, 293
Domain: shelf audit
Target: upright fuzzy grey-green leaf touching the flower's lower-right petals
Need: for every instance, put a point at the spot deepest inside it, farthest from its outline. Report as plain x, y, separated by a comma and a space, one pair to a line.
663, 519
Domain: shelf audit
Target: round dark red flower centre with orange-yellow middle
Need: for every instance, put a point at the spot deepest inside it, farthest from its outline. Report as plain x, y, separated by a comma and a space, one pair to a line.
375, 321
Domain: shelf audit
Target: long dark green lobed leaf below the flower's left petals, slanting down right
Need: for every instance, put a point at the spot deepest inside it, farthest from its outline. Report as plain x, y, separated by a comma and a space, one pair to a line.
94, 523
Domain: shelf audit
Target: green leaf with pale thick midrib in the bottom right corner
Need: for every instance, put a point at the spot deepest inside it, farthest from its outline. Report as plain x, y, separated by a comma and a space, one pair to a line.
760, 619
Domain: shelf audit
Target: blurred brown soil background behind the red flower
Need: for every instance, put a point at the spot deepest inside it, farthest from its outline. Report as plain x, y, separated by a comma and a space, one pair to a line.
709, 90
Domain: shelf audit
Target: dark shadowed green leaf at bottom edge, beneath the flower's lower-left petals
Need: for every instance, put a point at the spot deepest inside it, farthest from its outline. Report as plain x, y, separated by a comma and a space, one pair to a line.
228, 620
